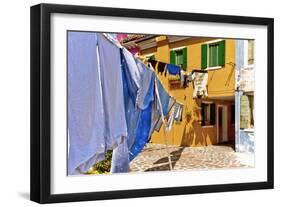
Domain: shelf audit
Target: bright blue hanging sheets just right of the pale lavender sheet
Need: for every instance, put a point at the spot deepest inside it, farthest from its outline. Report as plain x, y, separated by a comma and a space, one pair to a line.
138, 106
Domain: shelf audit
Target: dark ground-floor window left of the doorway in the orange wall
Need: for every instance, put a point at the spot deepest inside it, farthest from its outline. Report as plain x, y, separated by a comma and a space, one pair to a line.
208, 114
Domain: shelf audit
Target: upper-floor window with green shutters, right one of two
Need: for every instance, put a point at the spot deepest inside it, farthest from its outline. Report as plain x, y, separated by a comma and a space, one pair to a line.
213, 55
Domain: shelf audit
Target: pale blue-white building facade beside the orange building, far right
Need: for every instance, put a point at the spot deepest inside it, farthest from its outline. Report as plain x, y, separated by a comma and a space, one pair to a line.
244, 96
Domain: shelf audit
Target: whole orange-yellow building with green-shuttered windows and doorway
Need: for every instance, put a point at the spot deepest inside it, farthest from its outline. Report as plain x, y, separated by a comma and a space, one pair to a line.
207, 120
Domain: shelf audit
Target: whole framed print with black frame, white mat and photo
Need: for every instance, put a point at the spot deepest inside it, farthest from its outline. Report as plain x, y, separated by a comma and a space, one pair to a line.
132, 103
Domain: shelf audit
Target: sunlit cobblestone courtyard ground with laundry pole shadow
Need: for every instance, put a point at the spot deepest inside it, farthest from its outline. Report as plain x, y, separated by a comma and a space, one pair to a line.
154, 158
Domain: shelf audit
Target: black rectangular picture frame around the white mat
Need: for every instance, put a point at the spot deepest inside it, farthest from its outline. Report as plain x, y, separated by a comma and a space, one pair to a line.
41, 98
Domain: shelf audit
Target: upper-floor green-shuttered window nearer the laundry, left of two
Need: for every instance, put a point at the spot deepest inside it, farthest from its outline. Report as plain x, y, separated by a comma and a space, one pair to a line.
179, 57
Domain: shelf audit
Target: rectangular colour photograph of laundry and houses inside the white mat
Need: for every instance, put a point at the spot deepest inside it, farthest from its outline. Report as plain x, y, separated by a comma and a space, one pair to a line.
146, 103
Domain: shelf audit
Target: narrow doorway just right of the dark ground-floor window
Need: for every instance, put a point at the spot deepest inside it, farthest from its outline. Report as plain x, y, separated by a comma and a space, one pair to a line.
222, 124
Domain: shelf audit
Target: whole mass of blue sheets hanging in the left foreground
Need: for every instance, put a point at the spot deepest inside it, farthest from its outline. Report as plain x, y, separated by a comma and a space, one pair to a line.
111, 104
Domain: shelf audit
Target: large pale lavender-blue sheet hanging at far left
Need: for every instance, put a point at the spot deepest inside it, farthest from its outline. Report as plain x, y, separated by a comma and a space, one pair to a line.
96, 113
